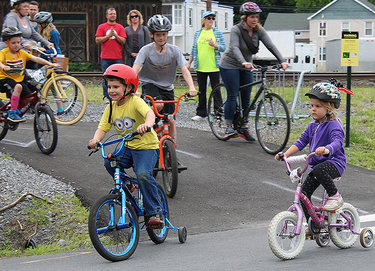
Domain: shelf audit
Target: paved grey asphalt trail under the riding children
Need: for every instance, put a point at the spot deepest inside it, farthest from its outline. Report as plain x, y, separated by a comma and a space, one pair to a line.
226, 198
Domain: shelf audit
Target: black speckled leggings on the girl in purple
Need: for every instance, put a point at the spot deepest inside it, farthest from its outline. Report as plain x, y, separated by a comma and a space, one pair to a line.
322, 174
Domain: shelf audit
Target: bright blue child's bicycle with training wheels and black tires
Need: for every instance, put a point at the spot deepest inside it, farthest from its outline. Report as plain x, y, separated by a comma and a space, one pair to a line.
113, 220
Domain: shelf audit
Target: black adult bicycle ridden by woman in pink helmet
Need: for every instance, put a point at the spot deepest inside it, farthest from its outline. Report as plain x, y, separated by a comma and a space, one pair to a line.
272, 120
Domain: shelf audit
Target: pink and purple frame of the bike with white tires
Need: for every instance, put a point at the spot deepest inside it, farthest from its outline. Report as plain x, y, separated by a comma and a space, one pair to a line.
312, 209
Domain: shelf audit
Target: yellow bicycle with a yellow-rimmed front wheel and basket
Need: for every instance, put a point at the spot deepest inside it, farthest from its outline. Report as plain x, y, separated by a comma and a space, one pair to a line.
60, 90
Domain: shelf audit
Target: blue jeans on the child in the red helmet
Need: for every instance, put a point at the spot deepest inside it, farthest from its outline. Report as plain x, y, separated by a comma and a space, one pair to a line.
143, 162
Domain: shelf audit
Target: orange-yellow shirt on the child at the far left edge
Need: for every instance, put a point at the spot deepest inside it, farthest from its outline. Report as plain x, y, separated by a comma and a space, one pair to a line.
17, 61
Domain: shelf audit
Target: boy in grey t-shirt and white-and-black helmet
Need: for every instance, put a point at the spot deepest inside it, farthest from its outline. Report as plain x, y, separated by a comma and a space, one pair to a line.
157, 64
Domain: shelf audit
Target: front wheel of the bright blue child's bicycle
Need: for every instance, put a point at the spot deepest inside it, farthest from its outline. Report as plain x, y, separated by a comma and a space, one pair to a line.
113, 238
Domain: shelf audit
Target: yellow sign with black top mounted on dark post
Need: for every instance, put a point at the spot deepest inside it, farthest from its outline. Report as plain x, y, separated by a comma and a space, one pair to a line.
349, 49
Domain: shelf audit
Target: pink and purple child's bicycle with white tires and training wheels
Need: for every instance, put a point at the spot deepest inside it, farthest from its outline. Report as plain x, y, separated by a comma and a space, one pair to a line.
286, 233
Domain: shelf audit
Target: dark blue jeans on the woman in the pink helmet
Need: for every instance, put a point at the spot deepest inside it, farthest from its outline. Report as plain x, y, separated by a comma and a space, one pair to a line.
233, 79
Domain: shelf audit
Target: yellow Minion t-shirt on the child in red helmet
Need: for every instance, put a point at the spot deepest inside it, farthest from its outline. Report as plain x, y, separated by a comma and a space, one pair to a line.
126, 118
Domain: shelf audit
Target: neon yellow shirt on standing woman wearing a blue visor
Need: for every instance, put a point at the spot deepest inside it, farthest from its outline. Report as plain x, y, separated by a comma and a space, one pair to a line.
206, 52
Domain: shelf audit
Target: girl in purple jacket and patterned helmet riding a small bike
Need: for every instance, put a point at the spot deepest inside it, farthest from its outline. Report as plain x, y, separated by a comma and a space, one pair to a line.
324, 133
